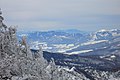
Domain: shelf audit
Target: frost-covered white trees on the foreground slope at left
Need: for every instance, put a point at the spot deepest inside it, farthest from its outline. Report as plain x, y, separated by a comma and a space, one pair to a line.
18, 62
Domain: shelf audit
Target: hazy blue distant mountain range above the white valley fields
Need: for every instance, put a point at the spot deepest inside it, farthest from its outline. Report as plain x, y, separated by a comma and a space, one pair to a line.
55, 37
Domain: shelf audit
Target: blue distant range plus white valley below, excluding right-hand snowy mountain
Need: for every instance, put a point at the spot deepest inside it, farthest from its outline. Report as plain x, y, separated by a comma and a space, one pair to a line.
55, 41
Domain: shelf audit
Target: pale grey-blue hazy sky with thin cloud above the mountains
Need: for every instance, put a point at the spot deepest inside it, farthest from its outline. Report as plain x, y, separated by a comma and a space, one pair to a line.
87, 15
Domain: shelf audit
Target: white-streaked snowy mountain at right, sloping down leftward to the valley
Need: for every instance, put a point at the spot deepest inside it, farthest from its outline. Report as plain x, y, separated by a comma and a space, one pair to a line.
100, 40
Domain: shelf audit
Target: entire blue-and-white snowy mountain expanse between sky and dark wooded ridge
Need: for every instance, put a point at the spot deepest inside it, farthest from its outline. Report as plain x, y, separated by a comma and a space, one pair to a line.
70, 41
